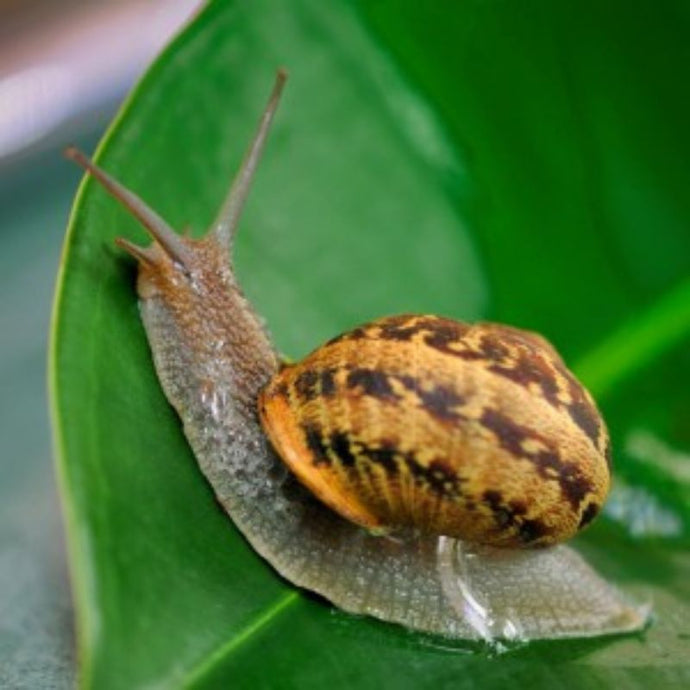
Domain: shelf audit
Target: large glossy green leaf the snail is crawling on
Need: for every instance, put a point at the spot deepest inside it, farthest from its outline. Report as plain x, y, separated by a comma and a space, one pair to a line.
523, 162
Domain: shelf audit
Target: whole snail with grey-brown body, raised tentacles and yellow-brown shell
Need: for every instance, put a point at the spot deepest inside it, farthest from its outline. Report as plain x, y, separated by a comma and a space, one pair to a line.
416, 469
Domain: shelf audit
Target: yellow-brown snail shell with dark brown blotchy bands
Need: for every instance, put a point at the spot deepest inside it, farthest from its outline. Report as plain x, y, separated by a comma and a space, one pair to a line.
477, 432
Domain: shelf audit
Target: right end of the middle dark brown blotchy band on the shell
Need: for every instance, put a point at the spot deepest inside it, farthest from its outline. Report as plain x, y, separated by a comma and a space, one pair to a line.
574, 486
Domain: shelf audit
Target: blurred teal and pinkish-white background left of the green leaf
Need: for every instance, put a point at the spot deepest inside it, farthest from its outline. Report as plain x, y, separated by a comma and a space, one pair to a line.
49, 95
